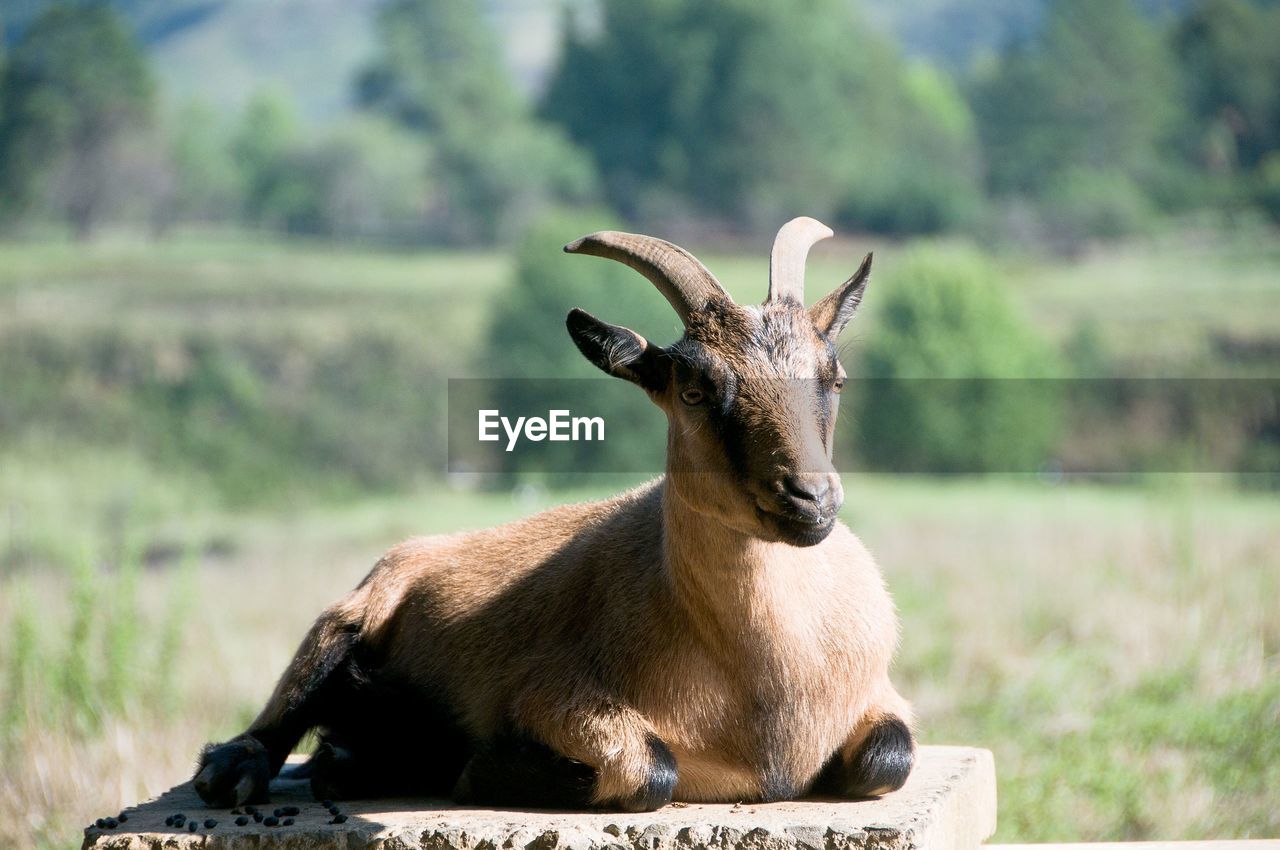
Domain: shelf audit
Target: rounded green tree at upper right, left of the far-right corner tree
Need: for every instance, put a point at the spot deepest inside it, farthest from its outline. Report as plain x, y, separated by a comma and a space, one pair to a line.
1095, 92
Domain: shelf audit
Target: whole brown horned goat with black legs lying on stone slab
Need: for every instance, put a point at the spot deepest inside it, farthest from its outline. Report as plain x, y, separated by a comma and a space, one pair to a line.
715, 636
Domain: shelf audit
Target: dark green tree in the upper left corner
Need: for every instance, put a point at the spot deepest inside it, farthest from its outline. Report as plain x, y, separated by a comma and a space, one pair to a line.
76, 92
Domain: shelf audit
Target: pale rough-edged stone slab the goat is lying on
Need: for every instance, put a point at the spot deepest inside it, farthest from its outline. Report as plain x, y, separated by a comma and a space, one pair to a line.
948, 805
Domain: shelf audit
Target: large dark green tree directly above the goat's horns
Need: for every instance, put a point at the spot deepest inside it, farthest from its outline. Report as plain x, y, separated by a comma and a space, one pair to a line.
751, 112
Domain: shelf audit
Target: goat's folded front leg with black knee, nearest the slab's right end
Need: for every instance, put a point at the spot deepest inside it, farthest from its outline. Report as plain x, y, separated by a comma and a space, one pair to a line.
875, 760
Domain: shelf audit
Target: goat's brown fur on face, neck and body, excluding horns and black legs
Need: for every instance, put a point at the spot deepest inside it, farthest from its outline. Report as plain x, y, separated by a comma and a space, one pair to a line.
676, 611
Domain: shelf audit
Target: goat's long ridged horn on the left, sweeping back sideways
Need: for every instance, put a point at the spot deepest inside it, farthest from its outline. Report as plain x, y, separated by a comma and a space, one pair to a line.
679, 276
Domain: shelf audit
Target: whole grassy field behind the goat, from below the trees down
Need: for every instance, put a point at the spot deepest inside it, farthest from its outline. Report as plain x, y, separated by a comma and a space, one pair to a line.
1118, 646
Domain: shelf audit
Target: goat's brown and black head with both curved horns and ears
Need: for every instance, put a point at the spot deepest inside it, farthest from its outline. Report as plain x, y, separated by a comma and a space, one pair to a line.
751, 392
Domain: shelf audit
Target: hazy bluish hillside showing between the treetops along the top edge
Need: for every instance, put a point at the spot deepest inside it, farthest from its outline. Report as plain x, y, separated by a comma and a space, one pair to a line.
225, 51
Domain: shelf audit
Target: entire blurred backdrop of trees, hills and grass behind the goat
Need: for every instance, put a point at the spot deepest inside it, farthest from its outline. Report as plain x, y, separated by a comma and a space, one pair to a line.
245, 244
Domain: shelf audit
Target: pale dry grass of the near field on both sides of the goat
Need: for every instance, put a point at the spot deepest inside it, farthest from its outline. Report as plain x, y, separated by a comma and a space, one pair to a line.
1098, 639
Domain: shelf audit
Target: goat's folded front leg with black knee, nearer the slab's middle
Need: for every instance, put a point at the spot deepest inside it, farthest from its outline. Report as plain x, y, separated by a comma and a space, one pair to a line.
582, 751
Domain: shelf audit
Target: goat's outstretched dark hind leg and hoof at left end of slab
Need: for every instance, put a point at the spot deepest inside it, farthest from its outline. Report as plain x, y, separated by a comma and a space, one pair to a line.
239, 771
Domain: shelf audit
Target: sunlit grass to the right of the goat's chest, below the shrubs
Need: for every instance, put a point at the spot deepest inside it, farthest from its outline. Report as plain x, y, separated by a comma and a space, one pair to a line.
1118, 648
